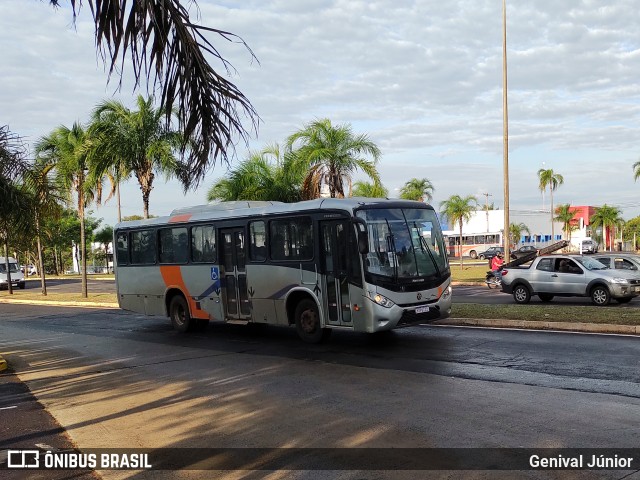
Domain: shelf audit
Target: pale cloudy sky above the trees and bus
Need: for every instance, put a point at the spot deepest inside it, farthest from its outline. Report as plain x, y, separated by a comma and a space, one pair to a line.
423, 79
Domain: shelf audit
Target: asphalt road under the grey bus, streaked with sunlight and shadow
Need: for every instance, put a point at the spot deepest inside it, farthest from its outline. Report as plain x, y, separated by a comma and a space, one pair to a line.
117, 379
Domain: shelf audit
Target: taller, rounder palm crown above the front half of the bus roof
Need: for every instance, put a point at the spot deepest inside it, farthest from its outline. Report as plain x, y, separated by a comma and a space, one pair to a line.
331, 155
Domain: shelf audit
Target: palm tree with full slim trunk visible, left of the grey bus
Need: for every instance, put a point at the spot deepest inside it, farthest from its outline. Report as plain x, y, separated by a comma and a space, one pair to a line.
65, 150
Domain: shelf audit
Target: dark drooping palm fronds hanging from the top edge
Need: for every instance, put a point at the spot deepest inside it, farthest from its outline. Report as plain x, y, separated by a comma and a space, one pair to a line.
168, 48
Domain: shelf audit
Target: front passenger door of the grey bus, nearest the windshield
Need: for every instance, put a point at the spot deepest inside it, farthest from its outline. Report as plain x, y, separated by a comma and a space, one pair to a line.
336, 253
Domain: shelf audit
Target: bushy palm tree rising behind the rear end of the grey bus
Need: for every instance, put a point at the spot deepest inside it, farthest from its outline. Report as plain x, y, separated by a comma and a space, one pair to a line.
132, 142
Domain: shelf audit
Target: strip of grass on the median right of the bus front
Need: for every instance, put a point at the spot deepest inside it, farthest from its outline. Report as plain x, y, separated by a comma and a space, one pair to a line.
613, 314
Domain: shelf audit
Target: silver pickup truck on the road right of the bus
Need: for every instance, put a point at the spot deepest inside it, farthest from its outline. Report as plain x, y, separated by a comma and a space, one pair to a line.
570, 276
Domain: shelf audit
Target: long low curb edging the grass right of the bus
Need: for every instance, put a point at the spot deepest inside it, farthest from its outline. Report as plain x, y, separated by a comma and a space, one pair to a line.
544, 325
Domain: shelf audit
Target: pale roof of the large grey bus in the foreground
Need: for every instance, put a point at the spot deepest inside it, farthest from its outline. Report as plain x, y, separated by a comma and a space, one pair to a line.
236, 209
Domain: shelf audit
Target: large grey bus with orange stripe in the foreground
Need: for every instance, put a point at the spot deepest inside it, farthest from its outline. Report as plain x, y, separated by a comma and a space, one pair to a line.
364, 265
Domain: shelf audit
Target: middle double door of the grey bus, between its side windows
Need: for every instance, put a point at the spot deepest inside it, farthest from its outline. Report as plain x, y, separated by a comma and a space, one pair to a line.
234, 286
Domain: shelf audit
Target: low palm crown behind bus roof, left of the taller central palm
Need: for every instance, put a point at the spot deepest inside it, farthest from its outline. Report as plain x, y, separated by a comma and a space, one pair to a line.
265, 175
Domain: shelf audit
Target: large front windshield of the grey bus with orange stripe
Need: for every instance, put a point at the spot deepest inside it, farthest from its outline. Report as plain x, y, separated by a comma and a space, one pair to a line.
404, 243
